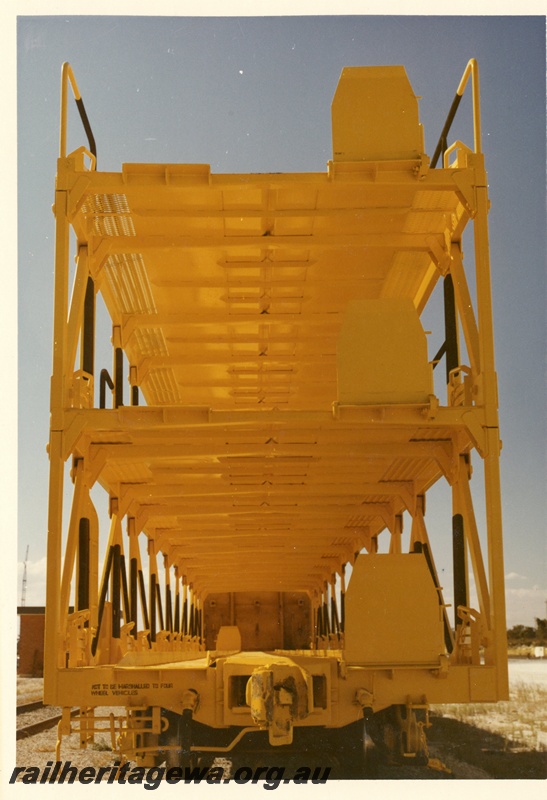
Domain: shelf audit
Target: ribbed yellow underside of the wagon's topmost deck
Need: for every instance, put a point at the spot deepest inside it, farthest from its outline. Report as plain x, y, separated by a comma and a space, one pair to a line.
230, 290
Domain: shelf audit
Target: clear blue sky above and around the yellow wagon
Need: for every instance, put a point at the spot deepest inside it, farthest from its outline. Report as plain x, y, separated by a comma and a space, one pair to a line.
251, 94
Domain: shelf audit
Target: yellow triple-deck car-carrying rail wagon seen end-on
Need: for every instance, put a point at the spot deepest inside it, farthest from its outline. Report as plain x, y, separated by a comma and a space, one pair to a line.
272, 419
